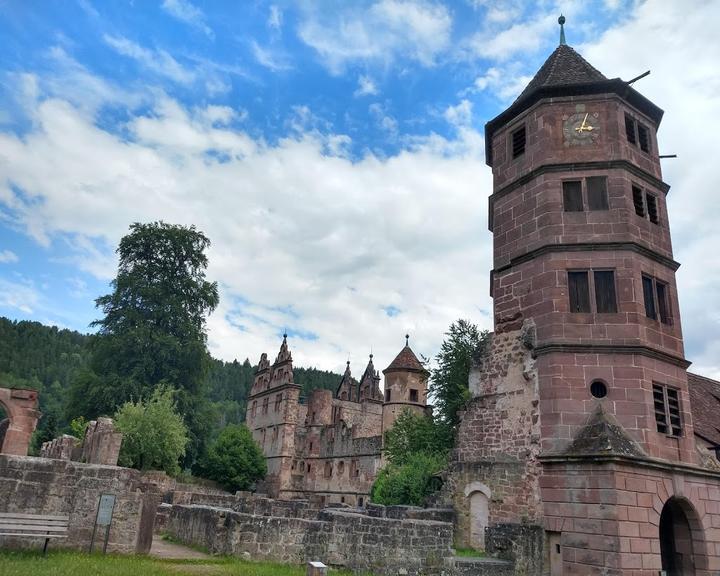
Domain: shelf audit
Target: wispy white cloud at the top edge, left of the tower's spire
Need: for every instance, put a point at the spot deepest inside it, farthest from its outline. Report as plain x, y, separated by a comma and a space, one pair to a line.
389, 29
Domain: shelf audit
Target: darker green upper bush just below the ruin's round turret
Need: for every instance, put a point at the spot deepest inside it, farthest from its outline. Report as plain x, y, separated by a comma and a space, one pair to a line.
413, 433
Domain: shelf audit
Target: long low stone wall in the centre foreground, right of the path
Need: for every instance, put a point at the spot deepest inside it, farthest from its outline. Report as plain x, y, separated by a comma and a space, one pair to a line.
337, 536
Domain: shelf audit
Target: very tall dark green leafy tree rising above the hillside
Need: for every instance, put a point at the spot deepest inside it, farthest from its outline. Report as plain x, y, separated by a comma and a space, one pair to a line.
153, 329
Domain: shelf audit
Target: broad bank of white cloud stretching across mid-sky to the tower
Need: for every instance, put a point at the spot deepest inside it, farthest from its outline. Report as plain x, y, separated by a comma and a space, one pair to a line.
303, 237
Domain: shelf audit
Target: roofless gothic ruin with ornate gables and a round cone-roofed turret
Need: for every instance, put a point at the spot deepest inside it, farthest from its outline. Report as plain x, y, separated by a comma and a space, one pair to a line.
328, 447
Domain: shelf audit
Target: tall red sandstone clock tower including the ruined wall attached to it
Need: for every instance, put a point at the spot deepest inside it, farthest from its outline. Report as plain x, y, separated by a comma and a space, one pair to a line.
579, 436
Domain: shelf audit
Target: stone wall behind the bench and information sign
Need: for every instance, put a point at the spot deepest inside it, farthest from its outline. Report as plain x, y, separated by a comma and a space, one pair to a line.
44, 486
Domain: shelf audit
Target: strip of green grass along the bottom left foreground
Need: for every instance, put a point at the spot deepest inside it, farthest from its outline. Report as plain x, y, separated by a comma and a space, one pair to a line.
61, 563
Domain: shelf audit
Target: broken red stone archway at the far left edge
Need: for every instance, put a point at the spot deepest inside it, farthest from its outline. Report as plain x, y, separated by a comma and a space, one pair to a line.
21, 407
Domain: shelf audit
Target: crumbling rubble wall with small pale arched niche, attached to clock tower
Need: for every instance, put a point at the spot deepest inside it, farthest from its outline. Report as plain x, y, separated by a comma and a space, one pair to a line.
498, 439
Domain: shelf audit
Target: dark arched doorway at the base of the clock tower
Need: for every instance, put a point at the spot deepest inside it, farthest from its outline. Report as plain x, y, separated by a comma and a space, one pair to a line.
681, 539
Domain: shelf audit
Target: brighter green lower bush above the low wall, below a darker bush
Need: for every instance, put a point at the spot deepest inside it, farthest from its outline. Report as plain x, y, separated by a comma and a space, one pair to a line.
409, 483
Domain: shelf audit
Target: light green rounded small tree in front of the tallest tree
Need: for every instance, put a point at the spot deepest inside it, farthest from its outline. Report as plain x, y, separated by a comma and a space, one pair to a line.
154, 434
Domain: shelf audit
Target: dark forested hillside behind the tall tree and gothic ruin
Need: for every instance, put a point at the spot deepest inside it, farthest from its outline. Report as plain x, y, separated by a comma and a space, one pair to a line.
47, 359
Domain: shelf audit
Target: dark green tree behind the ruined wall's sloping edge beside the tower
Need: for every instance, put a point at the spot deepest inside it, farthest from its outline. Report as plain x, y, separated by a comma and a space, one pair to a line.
449, 379
